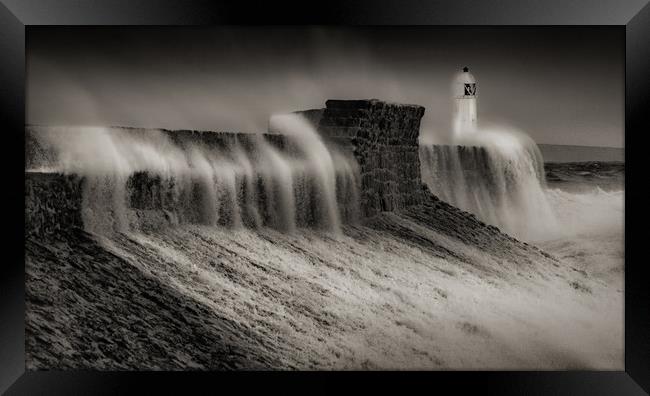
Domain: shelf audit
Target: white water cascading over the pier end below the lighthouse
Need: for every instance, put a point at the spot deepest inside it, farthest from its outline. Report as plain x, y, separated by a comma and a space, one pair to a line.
498, 175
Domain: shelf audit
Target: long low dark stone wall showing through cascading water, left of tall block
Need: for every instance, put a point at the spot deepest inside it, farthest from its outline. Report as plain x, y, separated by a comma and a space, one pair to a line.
54, 202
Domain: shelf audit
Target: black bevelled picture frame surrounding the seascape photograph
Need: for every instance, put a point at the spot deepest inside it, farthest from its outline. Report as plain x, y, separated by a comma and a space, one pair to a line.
17, 15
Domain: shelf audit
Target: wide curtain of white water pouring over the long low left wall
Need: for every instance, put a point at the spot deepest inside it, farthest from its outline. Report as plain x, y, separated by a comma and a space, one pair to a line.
136, 178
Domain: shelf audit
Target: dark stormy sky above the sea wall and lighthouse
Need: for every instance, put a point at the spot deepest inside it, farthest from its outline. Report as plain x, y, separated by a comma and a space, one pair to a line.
561, 85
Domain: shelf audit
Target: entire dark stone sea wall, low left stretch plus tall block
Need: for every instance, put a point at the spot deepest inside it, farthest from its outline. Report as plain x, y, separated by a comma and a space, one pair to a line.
380, 138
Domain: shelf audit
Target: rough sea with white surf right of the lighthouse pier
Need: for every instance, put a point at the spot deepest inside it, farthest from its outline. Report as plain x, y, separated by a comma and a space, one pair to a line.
588, 199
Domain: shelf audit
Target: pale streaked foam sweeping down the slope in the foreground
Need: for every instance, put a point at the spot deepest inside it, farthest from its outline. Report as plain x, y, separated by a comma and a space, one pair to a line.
398, 306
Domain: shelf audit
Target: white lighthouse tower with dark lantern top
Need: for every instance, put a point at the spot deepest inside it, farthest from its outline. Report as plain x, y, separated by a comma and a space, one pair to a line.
464, 91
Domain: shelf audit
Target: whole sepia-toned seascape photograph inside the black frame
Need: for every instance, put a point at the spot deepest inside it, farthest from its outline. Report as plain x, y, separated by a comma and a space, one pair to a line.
324, 198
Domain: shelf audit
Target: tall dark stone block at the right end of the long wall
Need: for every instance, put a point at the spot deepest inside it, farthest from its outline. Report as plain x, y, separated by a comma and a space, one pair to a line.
383, 138
